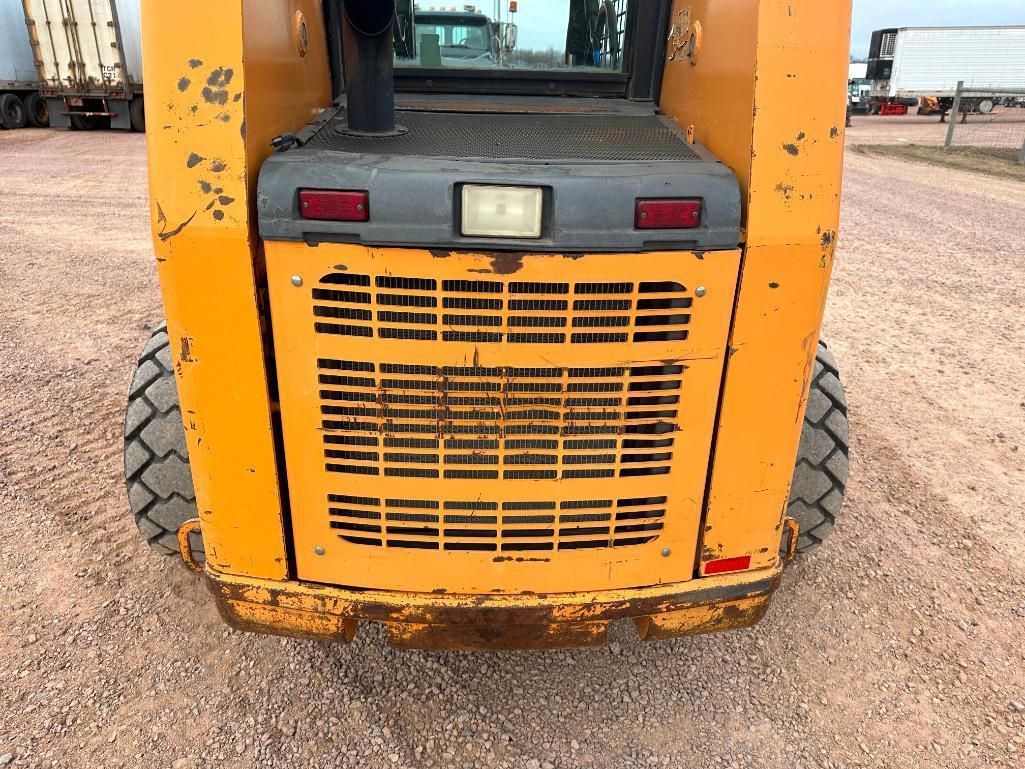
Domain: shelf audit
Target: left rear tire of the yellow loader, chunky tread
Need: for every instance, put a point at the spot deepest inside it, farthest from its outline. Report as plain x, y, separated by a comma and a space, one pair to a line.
157, 472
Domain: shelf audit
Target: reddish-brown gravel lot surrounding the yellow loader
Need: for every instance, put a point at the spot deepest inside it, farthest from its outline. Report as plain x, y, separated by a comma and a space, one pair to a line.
903, 644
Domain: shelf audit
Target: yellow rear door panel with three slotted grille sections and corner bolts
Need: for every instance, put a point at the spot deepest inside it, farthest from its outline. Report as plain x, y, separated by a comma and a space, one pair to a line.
511, 423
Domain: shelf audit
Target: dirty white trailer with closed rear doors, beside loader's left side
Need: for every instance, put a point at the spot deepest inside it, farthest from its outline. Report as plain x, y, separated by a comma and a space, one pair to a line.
90, 61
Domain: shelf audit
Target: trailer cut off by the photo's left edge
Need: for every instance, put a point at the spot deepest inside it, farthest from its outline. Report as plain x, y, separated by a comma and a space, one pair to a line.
21, 104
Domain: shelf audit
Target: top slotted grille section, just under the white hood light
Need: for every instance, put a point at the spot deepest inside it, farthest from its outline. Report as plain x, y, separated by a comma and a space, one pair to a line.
487, 312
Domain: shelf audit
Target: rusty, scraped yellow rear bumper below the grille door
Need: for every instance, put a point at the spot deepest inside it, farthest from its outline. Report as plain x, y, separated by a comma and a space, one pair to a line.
494, 622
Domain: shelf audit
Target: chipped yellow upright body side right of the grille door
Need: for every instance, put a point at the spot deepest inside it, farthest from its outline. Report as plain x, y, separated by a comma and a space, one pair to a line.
795, 103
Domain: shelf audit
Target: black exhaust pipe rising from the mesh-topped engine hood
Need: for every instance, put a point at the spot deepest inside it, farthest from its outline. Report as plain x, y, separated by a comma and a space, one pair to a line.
368, 55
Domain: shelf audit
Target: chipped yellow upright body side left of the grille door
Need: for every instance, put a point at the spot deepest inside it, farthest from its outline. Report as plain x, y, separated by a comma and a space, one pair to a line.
216, 93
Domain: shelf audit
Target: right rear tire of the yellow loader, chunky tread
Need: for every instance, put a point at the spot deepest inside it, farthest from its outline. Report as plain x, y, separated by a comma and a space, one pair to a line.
821, 475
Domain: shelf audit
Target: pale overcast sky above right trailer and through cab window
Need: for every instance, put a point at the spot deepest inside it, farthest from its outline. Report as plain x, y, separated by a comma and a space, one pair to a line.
543, 23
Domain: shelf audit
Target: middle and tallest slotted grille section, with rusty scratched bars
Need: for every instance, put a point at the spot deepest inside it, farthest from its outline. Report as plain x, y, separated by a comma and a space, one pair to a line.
474, 423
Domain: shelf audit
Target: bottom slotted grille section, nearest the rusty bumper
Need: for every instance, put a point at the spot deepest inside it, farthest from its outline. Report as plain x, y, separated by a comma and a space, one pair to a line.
497, 528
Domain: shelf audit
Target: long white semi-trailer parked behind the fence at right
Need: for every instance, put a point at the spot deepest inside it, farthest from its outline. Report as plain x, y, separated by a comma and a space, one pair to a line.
924, 65
